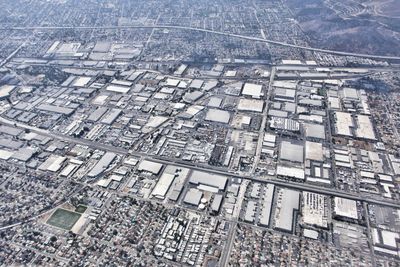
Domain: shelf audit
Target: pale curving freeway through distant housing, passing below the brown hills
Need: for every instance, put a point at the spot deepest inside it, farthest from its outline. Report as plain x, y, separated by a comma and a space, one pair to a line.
187, 28
